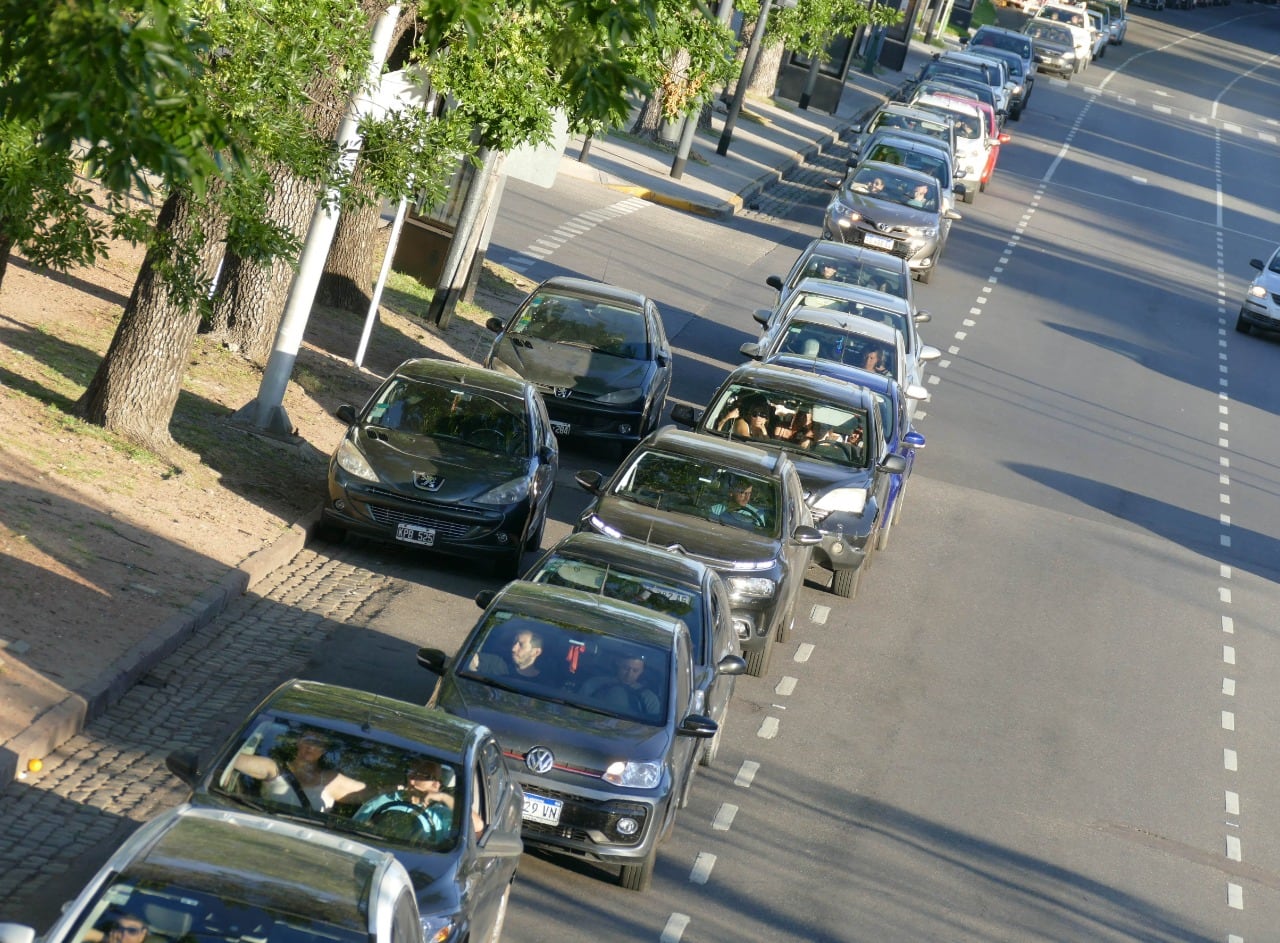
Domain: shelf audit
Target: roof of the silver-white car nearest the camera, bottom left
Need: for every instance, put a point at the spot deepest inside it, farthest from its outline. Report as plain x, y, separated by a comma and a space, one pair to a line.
284, 867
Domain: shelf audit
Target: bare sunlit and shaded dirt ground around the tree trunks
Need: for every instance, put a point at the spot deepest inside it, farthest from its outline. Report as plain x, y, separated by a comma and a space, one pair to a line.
100, 542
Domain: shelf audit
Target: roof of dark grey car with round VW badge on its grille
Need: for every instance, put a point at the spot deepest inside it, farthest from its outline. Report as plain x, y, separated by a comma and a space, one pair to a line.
589, 611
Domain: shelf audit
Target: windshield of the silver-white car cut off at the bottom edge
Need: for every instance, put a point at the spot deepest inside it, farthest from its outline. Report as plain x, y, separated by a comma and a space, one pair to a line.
220, 912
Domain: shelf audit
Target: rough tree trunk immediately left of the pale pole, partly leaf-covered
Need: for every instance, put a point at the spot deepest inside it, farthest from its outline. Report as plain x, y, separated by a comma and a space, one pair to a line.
252, 297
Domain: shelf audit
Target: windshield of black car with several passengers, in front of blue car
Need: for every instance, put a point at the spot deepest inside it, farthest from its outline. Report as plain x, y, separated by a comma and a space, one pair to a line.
807, 425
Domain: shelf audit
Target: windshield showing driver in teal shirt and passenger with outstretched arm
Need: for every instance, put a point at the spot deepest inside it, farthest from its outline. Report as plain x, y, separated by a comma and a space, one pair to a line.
353, 784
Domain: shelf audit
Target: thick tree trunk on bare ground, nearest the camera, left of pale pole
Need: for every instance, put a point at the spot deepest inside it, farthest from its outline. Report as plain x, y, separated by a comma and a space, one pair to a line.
136, 387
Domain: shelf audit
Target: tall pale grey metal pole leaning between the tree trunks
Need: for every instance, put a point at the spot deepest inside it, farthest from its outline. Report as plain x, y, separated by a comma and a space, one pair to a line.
268, 413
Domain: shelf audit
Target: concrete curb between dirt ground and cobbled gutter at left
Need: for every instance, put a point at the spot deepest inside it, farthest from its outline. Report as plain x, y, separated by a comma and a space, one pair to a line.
70, 716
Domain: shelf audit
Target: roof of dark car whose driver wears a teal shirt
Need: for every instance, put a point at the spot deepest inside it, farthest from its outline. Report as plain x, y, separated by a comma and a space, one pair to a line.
376, 717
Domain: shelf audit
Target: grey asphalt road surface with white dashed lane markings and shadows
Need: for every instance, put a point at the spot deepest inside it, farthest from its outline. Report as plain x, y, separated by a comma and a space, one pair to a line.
1050, 713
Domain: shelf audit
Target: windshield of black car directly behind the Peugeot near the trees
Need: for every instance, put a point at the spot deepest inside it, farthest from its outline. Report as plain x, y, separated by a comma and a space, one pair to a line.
602, 327
